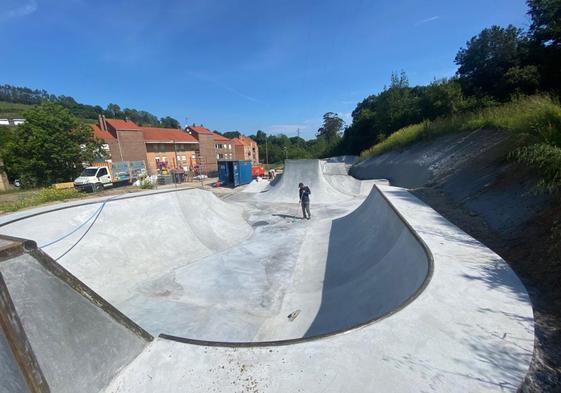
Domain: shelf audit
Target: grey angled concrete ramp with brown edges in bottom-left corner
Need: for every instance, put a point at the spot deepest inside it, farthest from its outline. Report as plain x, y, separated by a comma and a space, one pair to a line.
74, 340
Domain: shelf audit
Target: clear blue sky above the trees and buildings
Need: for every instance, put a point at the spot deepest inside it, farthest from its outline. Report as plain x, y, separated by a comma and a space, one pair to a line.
237, 65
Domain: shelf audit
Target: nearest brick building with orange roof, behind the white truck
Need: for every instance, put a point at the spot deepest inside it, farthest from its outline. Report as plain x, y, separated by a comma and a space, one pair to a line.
157, 147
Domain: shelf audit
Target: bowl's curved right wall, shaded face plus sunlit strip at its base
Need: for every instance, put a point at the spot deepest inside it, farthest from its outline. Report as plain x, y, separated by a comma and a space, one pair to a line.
352, 270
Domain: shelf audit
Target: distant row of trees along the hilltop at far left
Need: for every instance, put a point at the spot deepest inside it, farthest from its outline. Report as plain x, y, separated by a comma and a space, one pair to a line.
25, 95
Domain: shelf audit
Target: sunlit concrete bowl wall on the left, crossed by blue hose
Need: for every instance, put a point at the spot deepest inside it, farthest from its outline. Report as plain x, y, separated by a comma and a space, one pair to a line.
134, 241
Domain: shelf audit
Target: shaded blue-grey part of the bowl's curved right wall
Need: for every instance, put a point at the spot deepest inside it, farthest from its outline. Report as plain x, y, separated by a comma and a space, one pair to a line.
375, 264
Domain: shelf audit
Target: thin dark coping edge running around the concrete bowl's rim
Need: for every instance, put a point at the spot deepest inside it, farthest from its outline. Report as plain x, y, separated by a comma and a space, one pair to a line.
29, 245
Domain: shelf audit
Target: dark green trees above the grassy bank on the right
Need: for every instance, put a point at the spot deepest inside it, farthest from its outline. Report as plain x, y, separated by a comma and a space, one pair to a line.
496, 65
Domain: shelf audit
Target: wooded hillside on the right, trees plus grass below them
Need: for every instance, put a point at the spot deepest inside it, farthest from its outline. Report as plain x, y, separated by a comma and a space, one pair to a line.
507, 78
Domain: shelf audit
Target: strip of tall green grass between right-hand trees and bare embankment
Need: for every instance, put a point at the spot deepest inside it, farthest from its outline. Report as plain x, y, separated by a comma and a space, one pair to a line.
537, 118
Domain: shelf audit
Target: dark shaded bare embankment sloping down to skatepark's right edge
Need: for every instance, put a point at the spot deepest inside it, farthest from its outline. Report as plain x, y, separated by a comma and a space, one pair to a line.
468, 179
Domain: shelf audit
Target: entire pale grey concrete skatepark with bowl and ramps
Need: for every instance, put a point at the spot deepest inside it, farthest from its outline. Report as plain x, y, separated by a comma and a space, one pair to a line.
183, 291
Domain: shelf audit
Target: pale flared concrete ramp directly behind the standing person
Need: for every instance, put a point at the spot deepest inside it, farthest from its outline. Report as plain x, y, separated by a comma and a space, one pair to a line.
309, 172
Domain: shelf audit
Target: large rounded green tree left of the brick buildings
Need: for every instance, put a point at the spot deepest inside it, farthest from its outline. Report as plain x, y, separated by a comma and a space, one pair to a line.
50, 146
